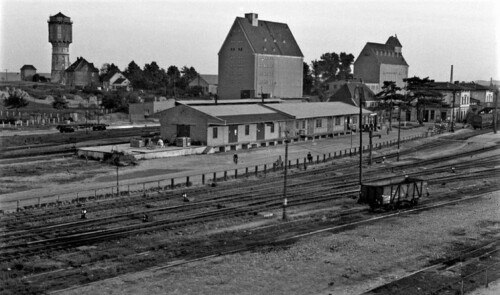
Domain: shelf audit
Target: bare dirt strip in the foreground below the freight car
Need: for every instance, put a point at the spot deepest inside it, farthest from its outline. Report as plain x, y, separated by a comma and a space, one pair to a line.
349, 262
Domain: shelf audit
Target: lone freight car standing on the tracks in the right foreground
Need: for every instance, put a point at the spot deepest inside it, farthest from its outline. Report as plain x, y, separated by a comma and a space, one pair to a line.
394, 193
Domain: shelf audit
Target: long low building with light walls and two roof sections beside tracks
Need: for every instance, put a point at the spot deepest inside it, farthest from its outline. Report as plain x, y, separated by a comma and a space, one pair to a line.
244, 126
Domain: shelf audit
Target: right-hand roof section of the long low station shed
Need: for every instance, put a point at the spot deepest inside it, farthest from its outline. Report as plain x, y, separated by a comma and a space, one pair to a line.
306, 110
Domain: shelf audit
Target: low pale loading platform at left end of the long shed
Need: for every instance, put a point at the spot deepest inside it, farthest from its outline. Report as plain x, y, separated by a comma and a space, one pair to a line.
141, 153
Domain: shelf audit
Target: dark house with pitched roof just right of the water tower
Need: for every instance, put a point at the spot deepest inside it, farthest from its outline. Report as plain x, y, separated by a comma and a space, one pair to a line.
81, 73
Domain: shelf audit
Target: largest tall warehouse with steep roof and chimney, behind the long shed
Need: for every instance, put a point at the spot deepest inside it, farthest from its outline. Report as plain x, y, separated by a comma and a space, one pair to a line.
260, 59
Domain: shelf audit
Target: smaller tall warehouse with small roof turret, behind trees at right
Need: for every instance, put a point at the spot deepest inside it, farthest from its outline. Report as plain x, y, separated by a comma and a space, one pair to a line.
381, 62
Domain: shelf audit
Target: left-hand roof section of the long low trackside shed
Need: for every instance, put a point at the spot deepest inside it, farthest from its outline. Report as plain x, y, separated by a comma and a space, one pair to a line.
241, 114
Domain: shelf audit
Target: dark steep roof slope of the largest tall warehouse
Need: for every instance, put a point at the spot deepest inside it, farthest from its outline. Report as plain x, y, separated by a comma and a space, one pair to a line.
270, 38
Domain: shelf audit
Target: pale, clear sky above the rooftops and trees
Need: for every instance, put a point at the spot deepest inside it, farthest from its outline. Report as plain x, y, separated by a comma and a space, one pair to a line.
434, 34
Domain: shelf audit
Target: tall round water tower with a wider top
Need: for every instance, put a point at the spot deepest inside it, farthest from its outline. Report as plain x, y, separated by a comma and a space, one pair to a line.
60, 35
